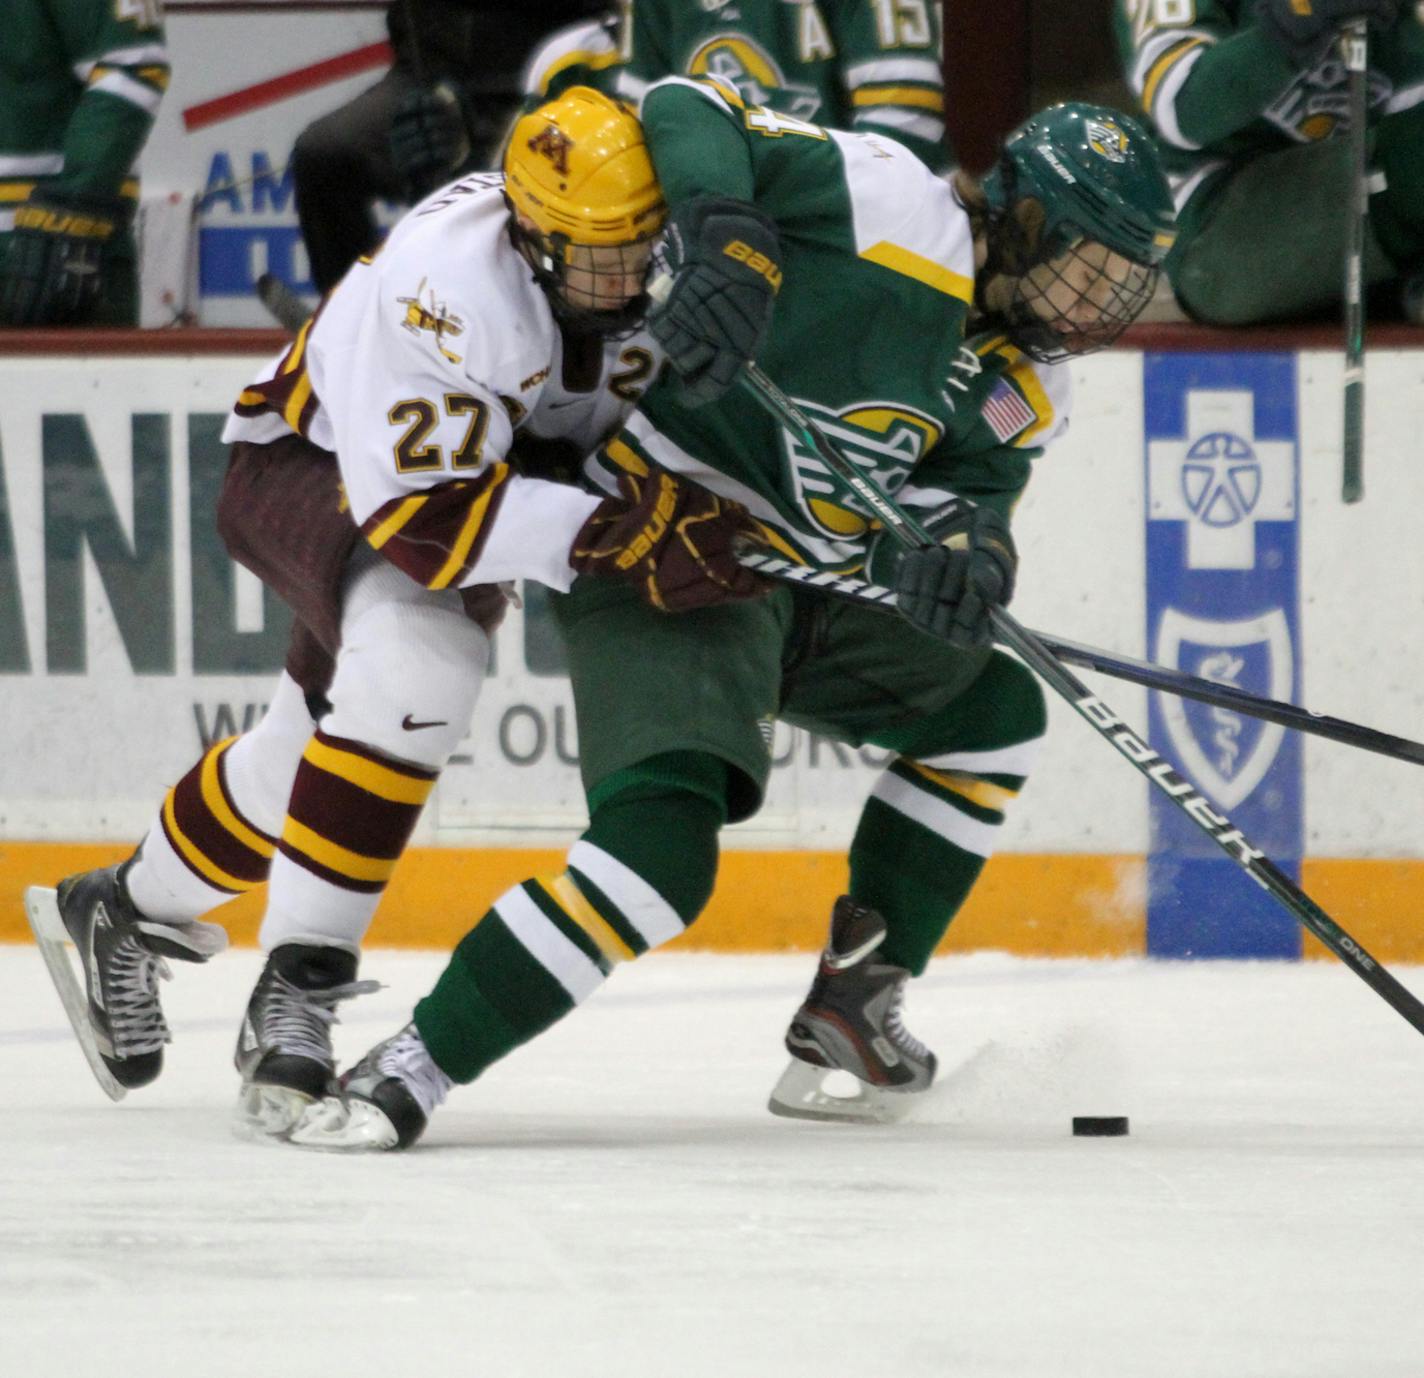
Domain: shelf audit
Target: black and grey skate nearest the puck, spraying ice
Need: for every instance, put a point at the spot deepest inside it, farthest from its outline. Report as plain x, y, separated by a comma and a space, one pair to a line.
851, 1023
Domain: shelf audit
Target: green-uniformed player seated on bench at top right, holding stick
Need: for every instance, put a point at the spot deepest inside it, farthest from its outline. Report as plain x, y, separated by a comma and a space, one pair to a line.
1250, 103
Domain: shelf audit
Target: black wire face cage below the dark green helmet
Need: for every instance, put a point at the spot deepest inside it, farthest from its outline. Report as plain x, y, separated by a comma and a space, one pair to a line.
1077, 300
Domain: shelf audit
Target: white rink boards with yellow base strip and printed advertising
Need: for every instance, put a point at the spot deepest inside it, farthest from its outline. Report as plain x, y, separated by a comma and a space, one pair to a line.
1193, 515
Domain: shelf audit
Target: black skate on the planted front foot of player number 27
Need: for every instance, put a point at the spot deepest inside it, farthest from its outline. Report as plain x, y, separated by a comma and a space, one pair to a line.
286, 1043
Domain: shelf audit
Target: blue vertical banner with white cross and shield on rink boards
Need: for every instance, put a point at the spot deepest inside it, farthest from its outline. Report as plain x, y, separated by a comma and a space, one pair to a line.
1223, 604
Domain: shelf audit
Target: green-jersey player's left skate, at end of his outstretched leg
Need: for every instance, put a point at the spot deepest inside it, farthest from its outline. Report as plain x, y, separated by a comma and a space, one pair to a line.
384, 1103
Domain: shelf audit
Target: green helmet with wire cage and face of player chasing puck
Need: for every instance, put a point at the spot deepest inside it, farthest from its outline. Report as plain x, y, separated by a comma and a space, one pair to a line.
1079, 220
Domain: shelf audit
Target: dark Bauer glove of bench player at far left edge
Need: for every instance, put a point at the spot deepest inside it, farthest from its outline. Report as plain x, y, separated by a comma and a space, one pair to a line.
53, 273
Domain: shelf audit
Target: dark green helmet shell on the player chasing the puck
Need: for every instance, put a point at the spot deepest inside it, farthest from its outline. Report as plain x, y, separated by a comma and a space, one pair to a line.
1097, 177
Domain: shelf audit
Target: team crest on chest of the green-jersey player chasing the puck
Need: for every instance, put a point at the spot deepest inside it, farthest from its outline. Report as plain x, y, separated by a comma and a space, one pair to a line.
884, 439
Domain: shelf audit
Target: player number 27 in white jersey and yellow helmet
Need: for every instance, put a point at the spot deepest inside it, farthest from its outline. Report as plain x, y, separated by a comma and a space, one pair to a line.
377, 485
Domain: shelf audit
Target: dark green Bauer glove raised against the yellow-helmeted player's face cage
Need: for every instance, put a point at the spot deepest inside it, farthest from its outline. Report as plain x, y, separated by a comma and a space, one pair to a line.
726, 265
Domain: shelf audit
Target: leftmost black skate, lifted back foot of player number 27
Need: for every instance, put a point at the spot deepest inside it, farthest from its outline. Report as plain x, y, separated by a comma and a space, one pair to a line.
116, 1013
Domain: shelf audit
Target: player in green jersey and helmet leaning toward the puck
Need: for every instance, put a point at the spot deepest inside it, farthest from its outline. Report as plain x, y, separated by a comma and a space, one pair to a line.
852, 274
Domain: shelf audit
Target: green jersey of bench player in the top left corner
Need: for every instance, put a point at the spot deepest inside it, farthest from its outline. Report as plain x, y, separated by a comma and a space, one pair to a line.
80, 83
